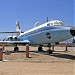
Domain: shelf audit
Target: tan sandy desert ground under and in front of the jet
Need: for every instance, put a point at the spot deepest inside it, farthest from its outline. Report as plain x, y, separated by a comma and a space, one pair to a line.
38, 63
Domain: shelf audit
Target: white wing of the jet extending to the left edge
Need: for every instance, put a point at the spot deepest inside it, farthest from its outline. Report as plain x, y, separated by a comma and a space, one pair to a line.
14, 42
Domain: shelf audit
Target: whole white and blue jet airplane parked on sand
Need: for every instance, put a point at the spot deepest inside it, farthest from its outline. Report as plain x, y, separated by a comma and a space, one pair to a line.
51, 32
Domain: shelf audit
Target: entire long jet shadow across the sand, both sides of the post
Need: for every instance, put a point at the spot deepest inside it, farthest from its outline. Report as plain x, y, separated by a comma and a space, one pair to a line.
59, 55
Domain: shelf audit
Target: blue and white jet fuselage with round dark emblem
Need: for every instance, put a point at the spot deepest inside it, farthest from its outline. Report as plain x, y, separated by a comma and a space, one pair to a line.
47, 33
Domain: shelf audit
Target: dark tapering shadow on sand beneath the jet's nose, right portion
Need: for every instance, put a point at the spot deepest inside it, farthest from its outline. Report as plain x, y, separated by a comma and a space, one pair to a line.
59, 55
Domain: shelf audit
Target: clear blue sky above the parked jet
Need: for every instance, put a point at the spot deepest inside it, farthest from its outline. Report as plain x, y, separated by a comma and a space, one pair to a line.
30, 11
